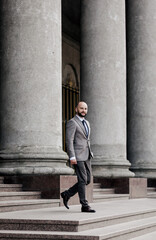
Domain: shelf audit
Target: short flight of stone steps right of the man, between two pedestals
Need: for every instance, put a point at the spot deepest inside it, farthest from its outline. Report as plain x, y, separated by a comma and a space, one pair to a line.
106, 194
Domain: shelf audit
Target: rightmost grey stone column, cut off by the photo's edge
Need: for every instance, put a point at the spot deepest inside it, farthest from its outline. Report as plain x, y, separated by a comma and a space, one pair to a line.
141, 56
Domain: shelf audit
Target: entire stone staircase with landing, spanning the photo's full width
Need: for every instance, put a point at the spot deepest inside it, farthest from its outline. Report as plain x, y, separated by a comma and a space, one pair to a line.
116, 218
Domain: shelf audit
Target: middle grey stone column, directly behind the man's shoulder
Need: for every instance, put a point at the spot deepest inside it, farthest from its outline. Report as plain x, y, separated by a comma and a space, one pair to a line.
103, 84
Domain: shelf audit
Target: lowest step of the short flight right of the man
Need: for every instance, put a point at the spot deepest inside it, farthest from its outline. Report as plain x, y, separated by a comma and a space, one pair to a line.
109, 197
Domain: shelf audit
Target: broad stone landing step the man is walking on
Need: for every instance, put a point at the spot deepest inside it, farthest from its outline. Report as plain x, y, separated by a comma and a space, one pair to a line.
72, 220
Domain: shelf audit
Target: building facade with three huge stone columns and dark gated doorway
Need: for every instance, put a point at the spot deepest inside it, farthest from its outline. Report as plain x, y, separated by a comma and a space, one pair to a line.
54, 53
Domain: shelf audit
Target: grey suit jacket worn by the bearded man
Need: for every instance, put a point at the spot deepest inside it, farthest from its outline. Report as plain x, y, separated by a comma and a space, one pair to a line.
77, 143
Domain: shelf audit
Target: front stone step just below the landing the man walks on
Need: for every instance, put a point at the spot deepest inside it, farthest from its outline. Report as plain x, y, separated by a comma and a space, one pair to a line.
120, 231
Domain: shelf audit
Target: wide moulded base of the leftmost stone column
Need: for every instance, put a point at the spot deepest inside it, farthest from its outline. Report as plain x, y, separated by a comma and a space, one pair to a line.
38, 160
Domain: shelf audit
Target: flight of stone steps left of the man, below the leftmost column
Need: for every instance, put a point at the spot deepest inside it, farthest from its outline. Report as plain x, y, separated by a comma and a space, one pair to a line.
12, 198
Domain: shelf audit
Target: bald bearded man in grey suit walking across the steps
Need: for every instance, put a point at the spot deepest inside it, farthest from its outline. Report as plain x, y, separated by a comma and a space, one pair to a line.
79, 152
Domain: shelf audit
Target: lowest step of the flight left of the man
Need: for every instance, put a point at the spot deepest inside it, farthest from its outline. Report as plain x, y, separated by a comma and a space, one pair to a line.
18, 205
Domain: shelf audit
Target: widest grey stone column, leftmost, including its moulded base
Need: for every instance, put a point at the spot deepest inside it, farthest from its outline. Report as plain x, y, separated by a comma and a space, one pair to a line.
30, 89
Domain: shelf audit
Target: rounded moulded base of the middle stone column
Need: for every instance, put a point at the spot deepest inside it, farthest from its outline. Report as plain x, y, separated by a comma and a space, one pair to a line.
111, 168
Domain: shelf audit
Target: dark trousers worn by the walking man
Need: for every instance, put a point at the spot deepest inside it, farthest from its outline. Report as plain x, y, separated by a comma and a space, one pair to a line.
83, 172
